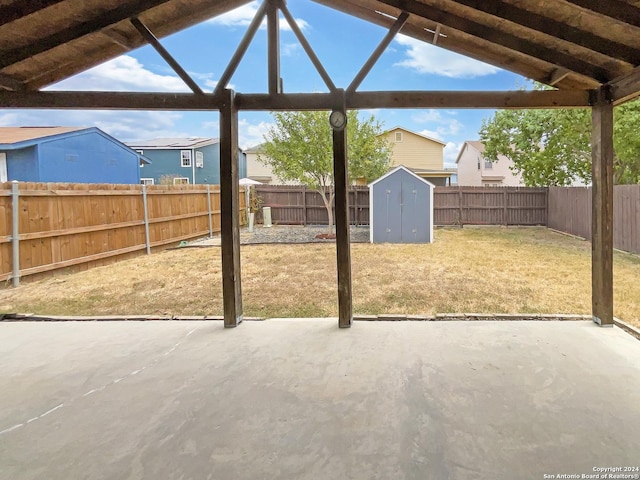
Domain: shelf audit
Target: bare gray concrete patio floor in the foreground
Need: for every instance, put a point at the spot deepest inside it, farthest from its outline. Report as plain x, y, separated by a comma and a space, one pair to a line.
301, 399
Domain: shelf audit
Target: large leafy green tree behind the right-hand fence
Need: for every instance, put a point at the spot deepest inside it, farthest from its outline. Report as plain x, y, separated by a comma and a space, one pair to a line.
553, 147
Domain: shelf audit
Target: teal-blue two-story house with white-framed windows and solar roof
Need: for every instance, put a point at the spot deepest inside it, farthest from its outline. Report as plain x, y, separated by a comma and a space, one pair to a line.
183, 160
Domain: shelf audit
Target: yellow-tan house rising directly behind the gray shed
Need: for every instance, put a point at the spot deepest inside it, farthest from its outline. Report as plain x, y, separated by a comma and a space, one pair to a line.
423, 155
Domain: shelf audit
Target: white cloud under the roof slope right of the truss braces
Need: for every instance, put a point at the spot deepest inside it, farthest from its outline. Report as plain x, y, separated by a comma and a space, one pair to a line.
429, 59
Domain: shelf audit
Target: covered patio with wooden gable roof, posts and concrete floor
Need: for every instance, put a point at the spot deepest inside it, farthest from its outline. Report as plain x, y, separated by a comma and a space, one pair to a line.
299, 398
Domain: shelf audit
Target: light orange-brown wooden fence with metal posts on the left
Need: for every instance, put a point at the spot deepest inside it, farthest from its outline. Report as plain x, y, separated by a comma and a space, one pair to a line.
47, 226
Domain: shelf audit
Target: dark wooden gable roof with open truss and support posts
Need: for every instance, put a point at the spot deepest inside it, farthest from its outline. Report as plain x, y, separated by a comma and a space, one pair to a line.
586, 49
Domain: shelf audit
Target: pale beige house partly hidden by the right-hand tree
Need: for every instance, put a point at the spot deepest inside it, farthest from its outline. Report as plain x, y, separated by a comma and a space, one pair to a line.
476, 171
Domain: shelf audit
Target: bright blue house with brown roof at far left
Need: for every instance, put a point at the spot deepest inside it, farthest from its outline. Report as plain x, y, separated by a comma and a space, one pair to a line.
67, 155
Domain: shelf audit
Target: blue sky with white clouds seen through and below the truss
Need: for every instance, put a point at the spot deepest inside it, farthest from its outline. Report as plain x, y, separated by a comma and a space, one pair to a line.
343, 43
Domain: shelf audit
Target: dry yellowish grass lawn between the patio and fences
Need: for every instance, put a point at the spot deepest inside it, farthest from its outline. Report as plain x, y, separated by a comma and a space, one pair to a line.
472, 270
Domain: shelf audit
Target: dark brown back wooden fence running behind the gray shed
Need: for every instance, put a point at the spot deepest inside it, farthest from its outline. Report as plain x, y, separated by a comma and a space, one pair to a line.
297, 205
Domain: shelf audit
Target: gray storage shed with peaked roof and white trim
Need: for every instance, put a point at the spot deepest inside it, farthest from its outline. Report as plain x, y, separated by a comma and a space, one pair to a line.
401, 208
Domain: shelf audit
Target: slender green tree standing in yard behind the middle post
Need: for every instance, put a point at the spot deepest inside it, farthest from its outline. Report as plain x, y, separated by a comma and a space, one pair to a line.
299, 148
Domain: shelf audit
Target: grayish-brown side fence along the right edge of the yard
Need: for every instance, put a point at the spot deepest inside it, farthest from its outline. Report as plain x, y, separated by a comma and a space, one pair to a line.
570, 212
